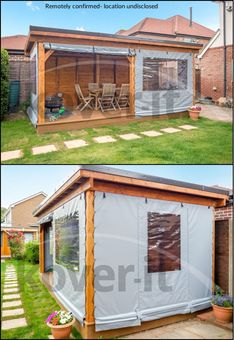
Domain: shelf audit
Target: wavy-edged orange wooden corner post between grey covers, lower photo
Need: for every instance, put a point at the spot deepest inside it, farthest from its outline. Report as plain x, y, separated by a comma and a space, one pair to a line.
89, 280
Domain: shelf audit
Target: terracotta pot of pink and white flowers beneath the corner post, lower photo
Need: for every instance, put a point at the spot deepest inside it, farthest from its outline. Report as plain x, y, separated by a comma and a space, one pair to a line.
60, 323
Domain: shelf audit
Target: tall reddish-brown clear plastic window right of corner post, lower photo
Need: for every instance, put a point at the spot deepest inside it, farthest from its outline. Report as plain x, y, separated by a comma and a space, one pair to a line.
163, 242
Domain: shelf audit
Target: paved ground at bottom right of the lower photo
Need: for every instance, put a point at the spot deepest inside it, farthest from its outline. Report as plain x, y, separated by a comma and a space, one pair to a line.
190, 329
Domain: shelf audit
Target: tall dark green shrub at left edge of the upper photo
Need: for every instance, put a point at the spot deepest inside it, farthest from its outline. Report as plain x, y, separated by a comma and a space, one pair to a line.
4, 82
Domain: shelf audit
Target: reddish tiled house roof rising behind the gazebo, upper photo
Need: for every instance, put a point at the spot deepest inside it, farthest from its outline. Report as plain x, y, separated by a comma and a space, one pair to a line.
171, 26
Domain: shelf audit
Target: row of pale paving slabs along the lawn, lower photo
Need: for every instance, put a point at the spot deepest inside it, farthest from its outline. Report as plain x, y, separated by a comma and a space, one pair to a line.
15, 316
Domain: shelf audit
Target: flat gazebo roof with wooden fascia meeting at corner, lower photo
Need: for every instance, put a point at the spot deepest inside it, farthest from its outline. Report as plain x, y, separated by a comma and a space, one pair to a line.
131, 178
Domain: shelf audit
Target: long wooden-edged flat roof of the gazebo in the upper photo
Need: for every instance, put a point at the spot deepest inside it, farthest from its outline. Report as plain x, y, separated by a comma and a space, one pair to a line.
48, 34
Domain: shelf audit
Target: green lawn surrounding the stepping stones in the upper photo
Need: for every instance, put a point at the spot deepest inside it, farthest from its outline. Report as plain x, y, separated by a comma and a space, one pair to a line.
211, 143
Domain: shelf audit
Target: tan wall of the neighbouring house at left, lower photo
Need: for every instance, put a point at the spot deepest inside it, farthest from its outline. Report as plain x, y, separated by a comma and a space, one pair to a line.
22, 213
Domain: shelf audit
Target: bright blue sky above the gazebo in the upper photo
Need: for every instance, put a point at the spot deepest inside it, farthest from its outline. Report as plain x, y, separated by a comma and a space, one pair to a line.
17, 16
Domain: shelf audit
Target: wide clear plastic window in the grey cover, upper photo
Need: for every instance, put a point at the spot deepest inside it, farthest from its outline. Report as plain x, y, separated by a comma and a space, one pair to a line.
164, 74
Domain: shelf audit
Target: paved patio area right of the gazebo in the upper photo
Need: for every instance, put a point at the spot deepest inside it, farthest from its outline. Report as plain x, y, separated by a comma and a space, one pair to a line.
215, 112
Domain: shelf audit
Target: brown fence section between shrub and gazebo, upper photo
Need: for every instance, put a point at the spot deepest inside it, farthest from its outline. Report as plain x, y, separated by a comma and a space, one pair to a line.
19, 70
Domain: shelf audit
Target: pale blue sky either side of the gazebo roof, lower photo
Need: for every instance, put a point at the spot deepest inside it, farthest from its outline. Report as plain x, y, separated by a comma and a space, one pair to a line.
21, 181
